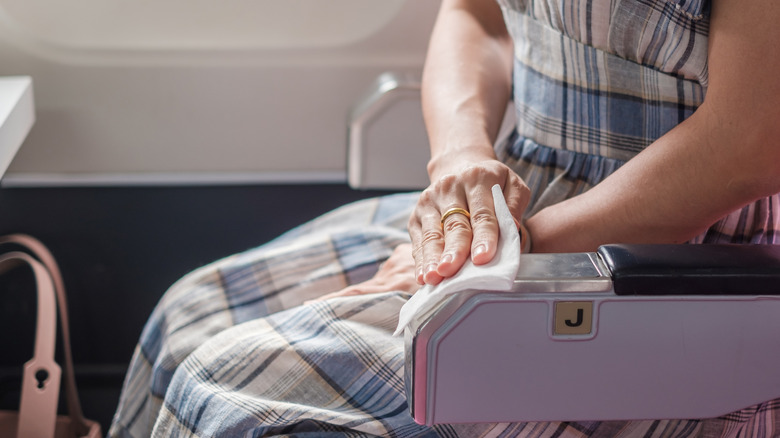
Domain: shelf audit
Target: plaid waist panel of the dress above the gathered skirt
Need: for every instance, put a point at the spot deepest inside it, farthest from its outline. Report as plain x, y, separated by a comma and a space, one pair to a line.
572, 96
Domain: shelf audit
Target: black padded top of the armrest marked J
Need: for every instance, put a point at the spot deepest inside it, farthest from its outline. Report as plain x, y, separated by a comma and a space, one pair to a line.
693, 269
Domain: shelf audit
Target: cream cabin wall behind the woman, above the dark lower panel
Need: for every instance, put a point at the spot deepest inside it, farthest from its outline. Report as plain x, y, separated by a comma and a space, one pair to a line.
196, 97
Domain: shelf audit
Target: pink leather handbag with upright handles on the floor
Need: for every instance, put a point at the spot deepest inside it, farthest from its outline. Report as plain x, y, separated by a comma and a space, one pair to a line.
37, 416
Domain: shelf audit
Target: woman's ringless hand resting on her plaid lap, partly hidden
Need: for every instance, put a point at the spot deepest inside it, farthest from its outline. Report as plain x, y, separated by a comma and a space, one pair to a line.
395, 274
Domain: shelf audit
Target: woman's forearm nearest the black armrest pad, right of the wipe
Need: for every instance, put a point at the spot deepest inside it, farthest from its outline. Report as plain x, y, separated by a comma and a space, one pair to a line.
671, 192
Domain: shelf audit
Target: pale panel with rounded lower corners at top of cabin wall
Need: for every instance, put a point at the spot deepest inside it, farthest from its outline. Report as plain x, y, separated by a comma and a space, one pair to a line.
197, 24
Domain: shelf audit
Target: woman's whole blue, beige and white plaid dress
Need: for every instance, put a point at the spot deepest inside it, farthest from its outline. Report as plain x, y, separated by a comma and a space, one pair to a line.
231, 351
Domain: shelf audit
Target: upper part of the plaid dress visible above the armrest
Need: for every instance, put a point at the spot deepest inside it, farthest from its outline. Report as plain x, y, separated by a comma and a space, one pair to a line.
597, 81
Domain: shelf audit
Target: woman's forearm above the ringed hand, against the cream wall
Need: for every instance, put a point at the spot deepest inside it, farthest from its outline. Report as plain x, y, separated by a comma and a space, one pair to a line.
466, 83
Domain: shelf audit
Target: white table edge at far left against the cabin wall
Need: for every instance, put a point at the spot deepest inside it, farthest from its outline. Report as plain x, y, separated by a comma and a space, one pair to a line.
17, 115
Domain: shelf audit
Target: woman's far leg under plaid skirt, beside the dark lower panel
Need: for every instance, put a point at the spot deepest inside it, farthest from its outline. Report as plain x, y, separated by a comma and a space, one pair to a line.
327, 254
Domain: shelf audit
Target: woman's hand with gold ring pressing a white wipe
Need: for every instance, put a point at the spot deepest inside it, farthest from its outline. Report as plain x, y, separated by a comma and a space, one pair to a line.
441, 248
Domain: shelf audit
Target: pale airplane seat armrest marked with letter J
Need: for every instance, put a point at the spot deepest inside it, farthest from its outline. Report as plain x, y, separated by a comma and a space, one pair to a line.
562, 347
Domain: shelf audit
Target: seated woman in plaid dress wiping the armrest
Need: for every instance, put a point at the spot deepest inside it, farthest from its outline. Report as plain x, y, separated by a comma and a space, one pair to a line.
638, 121
